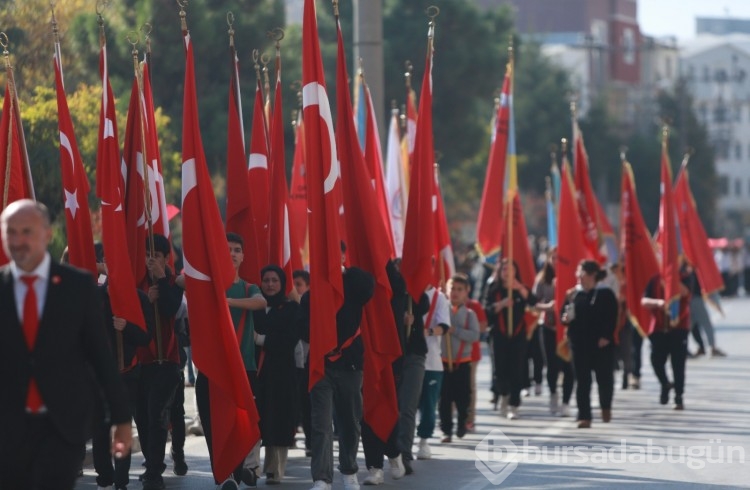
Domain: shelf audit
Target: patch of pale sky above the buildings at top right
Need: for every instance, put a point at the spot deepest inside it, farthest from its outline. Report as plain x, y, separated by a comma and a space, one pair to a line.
677, 17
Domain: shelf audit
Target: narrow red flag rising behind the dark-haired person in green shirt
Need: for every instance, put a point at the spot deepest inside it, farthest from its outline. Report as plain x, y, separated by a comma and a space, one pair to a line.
239, 214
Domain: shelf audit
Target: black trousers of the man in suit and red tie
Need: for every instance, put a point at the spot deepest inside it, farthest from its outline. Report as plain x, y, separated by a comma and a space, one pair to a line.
42, 460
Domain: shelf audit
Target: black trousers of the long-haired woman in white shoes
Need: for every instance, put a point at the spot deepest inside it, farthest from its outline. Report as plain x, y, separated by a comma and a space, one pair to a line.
510, 355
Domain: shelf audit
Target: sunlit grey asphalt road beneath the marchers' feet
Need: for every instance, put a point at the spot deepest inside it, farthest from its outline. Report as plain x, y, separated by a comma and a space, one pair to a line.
645, 445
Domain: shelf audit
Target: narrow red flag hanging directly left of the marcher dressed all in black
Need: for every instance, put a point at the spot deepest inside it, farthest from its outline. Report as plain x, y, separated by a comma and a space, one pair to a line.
570, 249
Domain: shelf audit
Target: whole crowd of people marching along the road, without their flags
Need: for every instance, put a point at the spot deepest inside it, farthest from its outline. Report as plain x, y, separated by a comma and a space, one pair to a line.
435, 377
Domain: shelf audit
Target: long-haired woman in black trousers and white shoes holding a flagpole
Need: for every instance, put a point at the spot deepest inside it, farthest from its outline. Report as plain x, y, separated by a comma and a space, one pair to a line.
507, 298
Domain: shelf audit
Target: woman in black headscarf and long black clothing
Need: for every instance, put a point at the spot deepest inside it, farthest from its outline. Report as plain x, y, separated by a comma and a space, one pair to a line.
277, 332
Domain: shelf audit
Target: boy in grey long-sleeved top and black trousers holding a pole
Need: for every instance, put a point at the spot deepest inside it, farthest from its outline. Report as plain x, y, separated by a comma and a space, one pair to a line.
463, 332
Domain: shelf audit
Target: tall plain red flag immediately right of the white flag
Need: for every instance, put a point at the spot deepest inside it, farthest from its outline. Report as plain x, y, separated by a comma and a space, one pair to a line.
417, 266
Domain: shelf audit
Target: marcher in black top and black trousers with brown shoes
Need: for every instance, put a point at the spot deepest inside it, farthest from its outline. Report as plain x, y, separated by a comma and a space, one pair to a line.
590, 312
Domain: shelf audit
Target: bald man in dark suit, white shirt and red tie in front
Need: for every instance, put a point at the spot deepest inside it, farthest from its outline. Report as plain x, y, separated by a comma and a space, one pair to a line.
54, 358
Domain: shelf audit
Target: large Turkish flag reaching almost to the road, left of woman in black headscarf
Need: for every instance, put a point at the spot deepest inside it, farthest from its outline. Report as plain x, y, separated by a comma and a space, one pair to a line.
208, 274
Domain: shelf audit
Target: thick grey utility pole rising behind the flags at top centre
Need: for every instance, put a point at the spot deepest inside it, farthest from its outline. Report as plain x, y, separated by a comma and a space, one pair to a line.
368, 45
